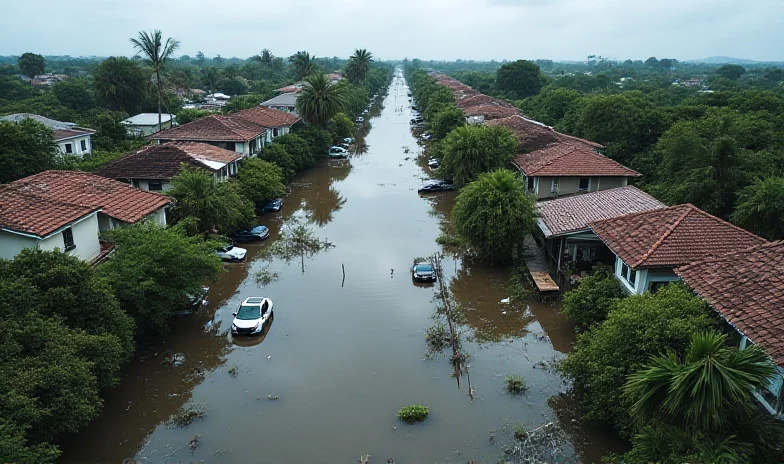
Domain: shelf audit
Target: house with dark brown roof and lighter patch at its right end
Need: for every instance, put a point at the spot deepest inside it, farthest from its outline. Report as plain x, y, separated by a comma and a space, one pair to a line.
153, 167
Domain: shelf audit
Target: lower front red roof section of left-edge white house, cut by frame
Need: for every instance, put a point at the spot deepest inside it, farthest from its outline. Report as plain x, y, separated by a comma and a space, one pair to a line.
31, 214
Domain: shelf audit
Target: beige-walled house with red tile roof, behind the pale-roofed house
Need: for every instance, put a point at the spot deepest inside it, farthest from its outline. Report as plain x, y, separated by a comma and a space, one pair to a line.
567, 168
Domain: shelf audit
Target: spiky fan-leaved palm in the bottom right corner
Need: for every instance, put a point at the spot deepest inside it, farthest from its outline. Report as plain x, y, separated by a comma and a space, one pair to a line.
705, 395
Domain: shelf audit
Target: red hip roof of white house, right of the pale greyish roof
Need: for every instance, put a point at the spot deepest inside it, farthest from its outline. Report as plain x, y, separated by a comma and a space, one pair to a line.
671, 237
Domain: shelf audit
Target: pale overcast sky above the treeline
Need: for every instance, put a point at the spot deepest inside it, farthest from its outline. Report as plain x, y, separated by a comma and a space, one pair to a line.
391, 29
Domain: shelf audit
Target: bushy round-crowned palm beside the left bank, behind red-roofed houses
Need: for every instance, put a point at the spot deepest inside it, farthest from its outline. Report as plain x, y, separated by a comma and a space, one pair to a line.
320, 100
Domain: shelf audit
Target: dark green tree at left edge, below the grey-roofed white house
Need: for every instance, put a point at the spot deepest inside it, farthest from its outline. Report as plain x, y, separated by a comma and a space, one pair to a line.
26, 148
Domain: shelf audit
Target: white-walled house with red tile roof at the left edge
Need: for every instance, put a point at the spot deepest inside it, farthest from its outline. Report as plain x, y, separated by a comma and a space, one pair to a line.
68, 210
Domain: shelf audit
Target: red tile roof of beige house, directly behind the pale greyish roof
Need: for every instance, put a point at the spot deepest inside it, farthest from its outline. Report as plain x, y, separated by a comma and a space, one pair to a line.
567, 159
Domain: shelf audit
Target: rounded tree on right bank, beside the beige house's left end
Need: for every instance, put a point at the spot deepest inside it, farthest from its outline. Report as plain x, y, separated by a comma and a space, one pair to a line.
472, 150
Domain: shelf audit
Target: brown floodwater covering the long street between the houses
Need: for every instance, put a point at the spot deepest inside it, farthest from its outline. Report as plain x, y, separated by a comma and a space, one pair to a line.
324, 383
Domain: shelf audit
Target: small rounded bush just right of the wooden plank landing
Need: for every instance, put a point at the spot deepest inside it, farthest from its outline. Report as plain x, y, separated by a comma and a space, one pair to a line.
589, 303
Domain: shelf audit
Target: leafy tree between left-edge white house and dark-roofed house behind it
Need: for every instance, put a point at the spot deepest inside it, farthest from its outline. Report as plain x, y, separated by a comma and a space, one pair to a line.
214, 206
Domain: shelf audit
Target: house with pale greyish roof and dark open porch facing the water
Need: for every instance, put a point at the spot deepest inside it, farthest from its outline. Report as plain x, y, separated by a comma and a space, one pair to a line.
563, 224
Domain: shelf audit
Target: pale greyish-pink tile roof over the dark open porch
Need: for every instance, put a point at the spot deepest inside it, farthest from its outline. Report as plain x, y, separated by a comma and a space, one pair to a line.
574, 213
